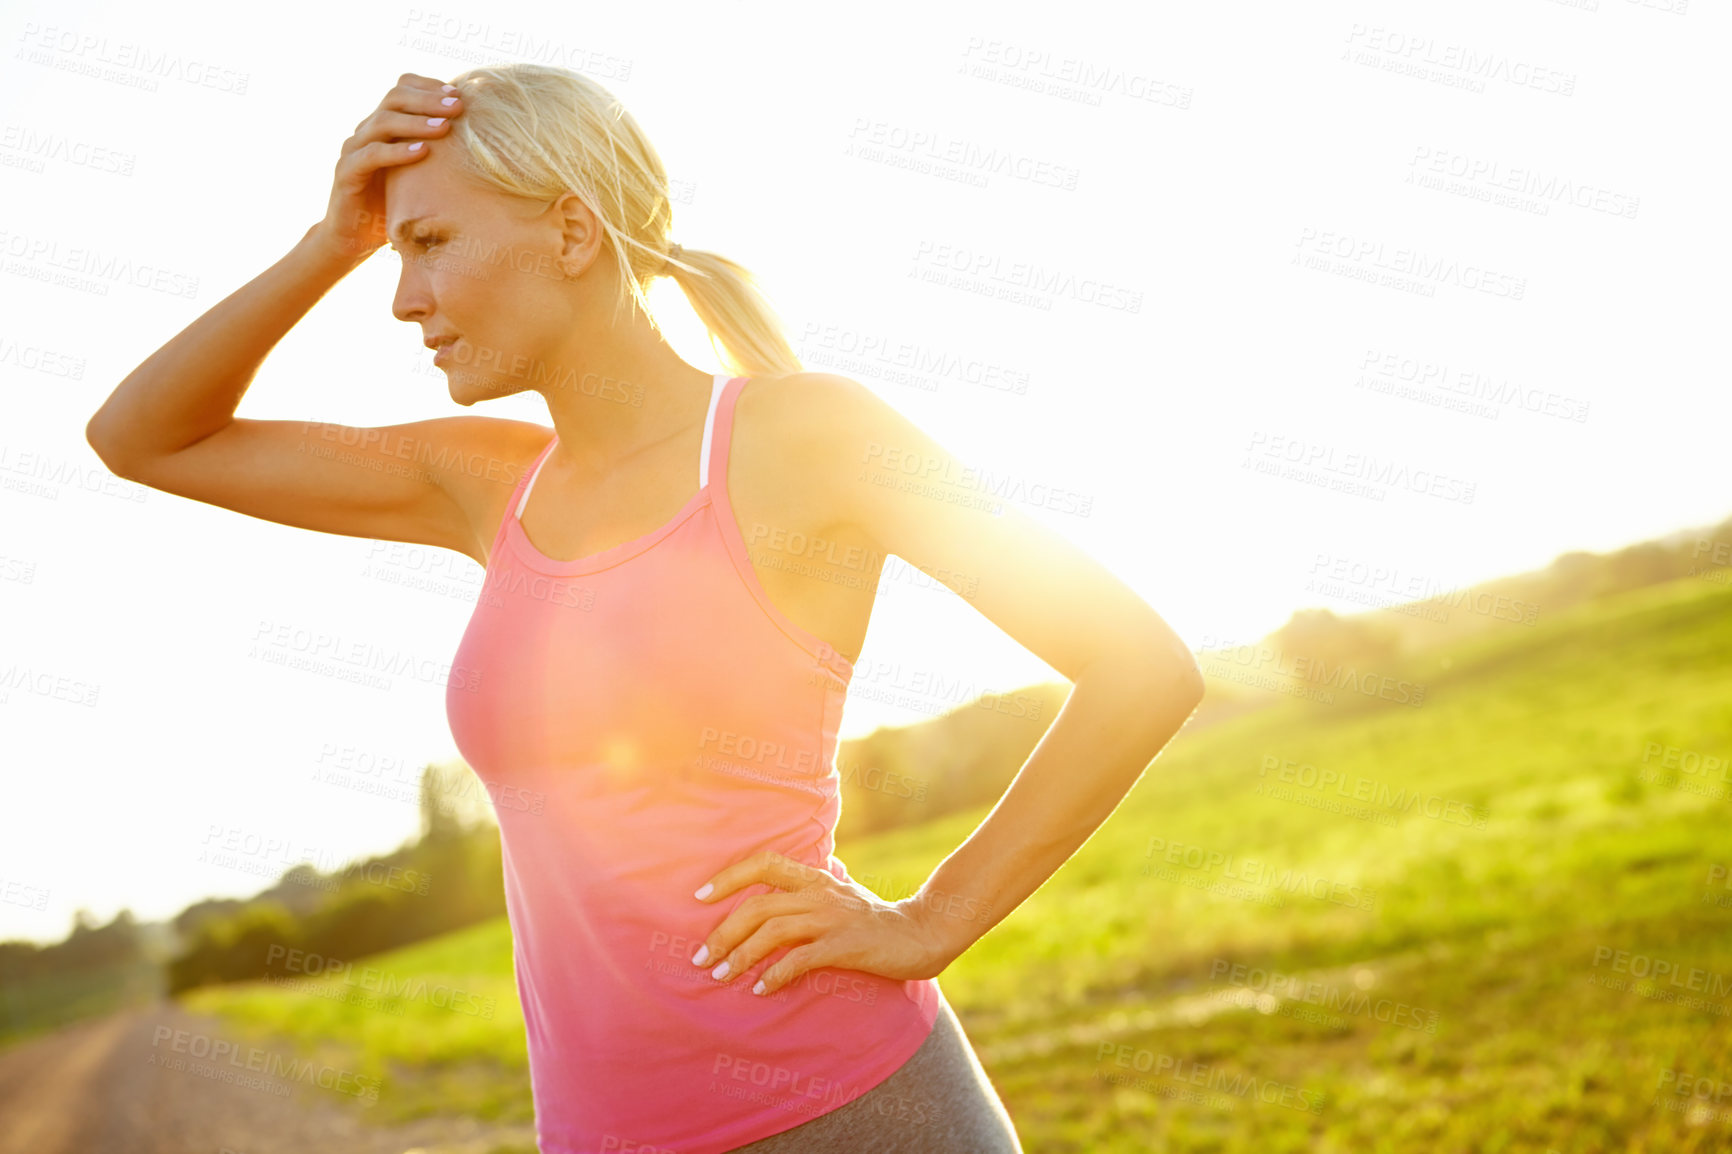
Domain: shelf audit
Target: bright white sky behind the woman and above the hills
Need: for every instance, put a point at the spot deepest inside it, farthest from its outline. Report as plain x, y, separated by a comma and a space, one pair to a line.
1430, 252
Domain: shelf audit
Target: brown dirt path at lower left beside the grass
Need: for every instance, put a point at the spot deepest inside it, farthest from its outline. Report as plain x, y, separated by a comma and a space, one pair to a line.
160, 1080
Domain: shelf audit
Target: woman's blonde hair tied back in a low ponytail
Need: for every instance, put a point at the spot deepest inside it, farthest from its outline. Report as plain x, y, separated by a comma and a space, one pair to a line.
538, 131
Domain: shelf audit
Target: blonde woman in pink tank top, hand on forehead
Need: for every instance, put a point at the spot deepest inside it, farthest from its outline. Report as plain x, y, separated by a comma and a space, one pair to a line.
697, 969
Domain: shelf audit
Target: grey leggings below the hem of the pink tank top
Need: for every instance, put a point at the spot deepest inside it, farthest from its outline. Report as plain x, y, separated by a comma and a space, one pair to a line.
936, 1103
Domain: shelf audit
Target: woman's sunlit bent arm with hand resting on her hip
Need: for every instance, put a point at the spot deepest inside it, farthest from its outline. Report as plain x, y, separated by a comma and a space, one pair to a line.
1134, 687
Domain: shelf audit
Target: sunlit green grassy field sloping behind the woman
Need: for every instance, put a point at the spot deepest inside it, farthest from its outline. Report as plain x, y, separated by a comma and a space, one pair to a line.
1494, 921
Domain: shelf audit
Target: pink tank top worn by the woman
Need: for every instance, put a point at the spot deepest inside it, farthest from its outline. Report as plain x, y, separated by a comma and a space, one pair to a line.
643, 718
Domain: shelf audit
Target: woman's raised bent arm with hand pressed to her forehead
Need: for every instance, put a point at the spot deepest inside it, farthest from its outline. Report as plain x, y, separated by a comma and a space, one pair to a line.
172, 424
